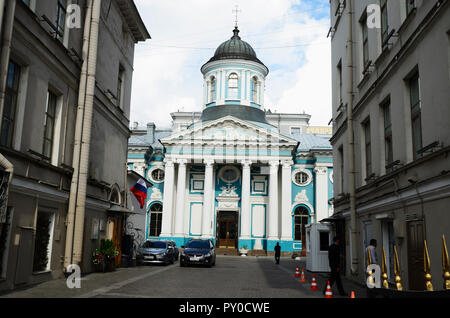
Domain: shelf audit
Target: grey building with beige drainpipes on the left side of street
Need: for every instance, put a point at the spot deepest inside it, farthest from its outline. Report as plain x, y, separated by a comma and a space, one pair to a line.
66, 70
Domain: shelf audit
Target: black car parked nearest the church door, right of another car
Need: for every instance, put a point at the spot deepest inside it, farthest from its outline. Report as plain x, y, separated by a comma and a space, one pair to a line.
198, 251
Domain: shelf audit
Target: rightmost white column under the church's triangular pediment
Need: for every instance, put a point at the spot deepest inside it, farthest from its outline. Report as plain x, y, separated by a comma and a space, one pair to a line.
286, 194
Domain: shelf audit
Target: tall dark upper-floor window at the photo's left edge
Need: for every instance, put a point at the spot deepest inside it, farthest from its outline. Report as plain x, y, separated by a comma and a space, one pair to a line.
9, 110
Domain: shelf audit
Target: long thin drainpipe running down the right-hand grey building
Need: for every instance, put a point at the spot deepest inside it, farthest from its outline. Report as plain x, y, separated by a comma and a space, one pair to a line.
351, 142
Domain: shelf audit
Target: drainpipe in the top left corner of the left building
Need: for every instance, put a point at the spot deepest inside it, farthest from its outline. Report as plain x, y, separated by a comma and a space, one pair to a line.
7, 29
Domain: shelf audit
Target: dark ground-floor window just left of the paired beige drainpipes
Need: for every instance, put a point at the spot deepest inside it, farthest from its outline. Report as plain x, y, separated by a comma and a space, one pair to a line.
42, 244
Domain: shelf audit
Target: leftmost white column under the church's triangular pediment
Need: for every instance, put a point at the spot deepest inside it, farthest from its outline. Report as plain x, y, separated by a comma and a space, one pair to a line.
169, 175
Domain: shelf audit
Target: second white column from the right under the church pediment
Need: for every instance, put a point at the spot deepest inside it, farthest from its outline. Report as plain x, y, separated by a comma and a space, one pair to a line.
273, 201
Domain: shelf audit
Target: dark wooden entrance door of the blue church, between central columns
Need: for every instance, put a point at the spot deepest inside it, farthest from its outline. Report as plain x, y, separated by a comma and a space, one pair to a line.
227, 229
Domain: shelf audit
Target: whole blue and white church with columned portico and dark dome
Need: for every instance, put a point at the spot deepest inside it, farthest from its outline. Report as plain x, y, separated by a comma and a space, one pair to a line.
234, 173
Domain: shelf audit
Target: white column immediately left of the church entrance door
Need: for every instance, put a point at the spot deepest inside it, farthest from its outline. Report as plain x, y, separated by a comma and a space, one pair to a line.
207, 200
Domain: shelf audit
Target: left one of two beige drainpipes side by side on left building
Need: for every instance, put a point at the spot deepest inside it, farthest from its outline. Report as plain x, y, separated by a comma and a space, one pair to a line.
74, 187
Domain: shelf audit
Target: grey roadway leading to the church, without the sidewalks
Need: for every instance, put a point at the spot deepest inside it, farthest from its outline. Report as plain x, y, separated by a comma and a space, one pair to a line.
232, 277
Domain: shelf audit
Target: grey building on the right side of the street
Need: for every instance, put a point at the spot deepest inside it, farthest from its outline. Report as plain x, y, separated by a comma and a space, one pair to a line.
391, 137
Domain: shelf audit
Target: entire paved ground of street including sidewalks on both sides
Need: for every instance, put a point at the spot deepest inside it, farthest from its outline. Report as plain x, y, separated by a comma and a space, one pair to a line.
232, 277
